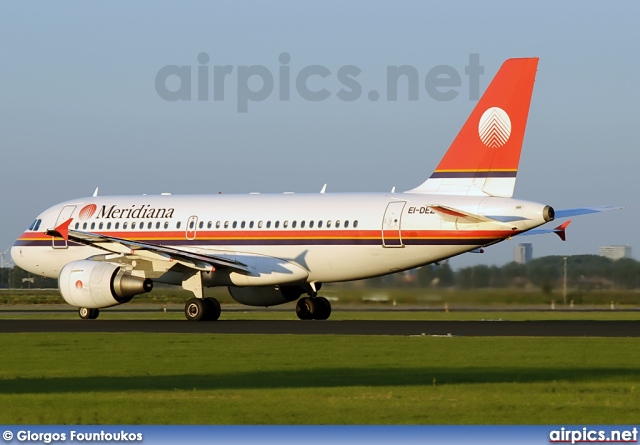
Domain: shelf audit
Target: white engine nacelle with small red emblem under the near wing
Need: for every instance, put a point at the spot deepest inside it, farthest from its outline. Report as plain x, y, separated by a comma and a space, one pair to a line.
96, 284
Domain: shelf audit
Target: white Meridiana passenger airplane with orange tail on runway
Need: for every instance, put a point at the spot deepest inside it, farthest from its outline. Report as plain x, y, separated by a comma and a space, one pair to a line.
270, 249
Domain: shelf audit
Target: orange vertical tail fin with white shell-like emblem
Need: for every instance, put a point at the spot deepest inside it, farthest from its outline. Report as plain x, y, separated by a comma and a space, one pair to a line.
483, 159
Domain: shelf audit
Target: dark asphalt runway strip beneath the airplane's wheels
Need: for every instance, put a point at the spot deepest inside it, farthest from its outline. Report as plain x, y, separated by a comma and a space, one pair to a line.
349, 327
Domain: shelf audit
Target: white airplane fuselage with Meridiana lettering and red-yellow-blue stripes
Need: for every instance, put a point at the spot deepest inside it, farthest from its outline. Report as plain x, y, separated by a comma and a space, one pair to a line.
332, 237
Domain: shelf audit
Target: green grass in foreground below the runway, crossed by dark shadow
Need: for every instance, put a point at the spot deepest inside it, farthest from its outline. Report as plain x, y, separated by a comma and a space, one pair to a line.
325, 379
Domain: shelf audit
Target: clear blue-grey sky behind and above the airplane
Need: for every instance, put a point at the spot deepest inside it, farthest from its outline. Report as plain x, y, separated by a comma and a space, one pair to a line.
79, 108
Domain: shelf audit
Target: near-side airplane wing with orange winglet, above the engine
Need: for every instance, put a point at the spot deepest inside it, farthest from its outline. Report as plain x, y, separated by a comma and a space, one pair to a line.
204, 262
